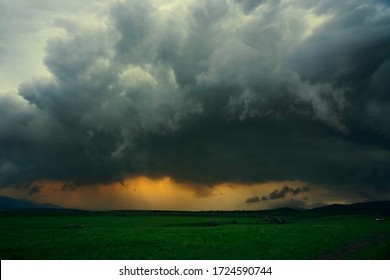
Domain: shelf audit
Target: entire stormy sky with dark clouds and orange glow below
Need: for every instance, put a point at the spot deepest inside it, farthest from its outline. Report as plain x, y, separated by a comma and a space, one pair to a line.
194, 104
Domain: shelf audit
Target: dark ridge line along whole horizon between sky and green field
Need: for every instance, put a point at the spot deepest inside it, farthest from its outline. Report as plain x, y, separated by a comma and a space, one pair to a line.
11, 206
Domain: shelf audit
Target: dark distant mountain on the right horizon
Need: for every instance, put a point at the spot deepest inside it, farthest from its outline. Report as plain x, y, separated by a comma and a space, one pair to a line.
374, 208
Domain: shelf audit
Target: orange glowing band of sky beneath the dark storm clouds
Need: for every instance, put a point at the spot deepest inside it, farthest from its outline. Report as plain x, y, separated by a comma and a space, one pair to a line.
143, 193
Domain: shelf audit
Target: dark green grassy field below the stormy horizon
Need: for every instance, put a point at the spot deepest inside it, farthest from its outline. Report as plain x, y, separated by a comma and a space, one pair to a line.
160, 236
